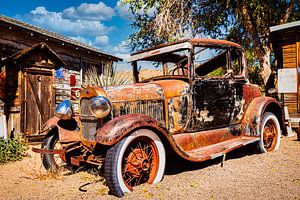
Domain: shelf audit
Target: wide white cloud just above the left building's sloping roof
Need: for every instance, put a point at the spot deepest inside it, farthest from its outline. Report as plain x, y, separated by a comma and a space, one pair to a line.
55, 21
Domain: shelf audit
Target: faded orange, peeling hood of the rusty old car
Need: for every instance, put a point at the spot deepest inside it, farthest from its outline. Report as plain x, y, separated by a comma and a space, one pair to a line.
156, 90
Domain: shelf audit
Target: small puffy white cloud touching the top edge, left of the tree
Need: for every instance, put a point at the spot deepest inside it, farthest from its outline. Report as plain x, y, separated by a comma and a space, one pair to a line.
90, 11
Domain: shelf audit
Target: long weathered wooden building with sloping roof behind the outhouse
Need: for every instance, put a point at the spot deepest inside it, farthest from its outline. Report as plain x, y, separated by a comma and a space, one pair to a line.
80, 58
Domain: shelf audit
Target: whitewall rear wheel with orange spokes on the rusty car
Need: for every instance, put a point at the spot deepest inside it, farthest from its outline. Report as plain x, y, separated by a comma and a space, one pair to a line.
270, 133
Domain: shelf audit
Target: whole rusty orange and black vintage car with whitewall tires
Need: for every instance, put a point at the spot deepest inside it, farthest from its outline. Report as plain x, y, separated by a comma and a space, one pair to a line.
196, 102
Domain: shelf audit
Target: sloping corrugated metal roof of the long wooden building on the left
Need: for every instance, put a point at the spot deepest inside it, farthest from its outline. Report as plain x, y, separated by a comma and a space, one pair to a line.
53, 35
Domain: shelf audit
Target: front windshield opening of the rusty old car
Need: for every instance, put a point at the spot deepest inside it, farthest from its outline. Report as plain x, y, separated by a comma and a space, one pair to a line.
169, 64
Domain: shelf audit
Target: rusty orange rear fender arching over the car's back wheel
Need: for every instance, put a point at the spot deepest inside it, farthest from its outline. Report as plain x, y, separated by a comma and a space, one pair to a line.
251, 122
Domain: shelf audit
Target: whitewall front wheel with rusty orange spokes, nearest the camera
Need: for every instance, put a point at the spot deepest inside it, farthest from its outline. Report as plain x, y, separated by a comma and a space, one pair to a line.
137, 159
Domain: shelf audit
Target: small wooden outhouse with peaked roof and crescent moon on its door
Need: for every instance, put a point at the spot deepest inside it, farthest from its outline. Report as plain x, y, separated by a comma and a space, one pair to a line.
27, 88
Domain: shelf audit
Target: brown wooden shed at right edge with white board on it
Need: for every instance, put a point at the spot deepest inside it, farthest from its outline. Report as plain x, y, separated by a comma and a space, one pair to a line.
285, 40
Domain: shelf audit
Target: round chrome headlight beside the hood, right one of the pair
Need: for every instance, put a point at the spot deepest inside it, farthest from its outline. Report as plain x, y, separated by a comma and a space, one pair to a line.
100, 106
